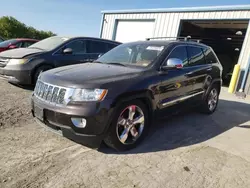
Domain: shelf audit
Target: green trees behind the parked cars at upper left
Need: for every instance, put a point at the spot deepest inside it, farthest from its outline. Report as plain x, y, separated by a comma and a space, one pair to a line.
12, 28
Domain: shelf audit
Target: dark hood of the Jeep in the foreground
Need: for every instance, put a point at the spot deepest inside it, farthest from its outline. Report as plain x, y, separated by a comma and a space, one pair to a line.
89, 74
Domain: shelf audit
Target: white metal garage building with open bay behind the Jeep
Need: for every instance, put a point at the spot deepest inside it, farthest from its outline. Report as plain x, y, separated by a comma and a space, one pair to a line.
225, 28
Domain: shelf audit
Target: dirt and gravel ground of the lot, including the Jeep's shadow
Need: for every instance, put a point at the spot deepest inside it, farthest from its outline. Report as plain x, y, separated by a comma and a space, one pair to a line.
191, 150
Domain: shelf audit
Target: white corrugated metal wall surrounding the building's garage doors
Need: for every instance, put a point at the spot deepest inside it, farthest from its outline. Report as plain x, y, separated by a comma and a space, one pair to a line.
167, 24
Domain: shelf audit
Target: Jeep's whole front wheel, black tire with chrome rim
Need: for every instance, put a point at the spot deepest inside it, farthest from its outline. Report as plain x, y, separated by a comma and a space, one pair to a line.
135, 133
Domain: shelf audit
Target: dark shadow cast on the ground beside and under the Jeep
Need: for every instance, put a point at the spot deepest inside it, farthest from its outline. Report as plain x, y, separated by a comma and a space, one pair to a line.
189, 128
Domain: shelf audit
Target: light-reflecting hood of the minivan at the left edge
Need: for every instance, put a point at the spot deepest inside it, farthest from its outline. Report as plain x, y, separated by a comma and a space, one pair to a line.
20, 52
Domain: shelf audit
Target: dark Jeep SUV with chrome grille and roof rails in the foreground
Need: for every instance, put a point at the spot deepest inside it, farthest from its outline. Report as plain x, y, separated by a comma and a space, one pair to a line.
115, 98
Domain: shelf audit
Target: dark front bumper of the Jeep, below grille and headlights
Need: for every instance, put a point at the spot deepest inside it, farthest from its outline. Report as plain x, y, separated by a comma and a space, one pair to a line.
58, 119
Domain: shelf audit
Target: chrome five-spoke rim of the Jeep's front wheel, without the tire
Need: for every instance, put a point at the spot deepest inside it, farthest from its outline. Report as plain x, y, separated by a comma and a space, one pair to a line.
130, 124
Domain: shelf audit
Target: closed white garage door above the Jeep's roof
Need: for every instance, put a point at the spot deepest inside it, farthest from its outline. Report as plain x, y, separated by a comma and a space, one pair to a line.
128, 31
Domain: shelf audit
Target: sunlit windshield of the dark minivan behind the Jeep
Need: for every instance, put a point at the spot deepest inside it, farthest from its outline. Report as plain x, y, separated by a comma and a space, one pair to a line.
49, 43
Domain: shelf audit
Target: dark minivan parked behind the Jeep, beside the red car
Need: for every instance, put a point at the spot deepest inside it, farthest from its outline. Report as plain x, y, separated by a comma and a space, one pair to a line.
23, 65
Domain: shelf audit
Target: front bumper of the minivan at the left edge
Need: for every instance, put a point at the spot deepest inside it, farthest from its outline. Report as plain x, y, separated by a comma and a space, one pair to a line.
15, 74
